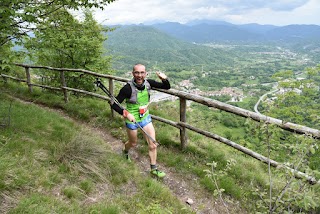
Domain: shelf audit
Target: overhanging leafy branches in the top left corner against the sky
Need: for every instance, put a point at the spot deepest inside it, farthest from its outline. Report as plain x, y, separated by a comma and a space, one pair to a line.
19, 17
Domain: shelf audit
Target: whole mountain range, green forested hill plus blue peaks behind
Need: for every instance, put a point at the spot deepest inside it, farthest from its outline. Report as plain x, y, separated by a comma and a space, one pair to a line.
180, 44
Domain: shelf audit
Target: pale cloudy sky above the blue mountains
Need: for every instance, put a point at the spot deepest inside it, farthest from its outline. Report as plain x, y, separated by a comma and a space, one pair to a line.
274, 12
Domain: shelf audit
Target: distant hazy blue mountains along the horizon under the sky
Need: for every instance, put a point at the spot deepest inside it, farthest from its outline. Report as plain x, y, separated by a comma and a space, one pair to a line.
213, 31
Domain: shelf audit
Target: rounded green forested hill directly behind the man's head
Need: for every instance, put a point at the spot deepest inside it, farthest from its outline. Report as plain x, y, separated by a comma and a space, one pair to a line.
150, 46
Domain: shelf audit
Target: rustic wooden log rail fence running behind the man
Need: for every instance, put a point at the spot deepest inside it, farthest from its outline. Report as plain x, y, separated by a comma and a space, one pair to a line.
182, 124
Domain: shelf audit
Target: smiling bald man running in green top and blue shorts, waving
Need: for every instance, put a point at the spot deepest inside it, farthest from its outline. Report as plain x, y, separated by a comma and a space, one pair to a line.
136, 93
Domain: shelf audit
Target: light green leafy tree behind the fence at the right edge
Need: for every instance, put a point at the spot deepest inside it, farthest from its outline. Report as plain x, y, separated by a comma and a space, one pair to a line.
299, 102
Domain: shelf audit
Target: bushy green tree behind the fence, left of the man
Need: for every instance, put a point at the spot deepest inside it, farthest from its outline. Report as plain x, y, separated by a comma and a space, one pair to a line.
63, 41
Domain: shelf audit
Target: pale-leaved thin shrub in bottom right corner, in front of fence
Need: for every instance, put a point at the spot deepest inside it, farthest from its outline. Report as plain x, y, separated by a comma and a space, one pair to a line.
285, 193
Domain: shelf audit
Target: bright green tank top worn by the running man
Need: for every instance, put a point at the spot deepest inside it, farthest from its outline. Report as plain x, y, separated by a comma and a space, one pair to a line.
133, 108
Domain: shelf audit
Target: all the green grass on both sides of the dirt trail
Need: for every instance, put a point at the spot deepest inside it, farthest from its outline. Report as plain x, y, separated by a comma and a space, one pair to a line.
54, 145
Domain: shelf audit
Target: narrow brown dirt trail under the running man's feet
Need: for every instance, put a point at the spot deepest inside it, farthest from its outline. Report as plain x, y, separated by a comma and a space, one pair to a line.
184, 188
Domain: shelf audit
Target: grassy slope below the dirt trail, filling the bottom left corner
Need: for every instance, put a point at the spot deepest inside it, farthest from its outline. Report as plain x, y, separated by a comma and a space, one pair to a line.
49, 164
